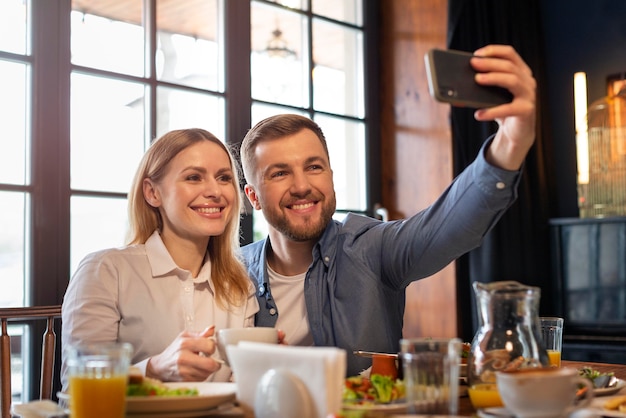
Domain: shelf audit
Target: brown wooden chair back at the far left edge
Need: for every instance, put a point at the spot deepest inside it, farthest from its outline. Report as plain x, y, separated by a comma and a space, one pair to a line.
23, 315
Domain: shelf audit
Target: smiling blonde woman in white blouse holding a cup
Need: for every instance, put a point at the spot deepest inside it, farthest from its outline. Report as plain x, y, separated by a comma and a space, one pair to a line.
180, 278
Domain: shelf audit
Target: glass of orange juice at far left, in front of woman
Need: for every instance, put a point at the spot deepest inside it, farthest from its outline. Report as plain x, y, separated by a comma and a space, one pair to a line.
98, 376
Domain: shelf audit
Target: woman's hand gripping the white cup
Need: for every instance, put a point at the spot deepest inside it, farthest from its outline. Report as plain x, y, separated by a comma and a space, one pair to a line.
187, 358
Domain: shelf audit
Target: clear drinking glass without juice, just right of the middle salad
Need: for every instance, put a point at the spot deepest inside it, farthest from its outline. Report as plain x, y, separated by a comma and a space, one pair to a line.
431, 375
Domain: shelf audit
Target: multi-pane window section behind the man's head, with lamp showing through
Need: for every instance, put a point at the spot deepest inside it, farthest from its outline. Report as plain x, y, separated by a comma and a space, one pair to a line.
329, 87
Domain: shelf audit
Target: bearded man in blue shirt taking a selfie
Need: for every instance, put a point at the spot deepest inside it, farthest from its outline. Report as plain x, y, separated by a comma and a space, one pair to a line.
342, 284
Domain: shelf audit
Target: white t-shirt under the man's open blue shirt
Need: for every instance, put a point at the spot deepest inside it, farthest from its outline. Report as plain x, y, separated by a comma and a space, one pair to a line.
292, 314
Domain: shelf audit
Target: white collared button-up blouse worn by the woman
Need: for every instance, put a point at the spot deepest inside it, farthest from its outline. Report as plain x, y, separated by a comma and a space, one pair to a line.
137, 294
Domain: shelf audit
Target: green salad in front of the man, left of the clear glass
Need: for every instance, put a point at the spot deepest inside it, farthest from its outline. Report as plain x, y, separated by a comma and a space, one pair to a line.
375, 389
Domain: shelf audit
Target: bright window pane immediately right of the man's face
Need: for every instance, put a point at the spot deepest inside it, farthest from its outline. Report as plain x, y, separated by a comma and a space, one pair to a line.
346, 146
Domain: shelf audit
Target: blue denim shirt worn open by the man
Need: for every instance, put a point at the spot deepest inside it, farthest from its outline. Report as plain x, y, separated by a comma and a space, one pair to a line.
355, 286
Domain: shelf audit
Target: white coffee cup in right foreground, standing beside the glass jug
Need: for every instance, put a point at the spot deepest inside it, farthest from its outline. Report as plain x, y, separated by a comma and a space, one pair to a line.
542, 392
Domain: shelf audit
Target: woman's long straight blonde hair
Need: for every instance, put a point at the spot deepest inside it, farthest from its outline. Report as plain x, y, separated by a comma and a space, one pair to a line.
227, 271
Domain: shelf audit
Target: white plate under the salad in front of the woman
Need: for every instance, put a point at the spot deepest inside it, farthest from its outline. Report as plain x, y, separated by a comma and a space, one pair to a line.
211, 395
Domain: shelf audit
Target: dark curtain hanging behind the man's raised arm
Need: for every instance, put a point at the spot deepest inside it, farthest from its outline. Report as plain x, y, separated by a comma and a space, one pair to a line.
518, 247
